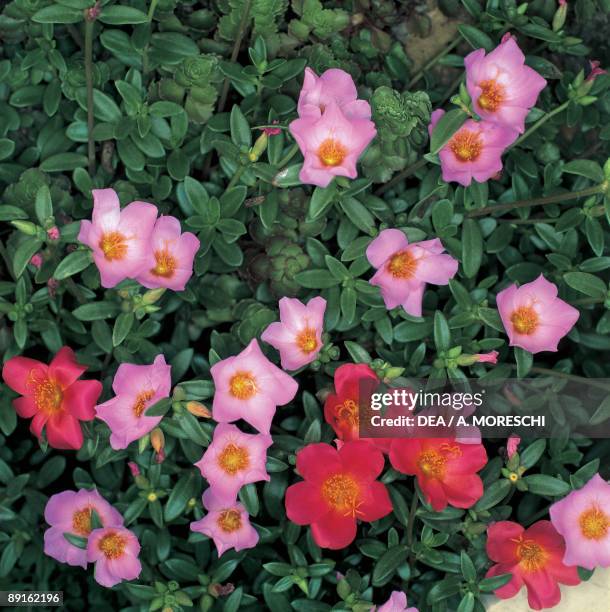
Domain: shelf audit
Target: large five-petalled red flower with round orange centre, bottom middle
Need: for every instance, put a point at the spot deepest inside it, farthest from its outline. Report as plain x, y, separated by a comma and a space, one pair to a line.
339, 487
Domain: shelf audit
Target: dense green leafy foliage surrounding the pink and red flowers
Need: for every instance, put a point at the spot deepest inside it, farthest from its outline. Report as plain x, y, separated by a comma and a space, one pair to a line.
186, 105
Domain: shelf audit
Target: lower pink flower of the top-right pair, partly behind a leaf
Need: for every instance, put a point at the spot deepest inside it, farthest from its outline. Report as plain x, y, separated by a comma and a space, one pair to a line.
474, 151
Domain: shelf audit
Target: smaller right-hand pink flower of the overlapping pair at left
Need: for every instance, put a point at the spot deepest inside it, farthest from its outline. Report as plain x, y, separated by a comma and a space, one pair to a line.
171, 257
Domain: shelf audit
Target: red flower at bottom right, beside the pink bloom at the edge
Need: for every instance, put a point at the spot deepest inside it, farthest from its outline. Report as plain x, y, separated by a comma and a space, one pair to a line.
534, 557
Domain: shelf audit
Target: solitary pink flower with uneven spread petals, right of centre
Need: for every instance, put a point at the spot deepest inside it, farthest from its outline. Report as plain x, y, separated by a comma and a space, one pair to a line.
403, 269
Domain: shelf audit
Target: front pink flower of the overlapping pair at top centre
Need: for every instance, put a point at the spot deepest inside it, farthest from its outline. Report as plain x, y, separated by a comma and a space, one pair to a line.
331, 144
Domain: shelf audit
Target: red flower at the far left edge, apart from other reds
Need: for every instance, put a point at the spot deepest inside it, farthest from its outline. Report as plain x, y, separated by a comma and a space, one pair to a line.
53, 396
